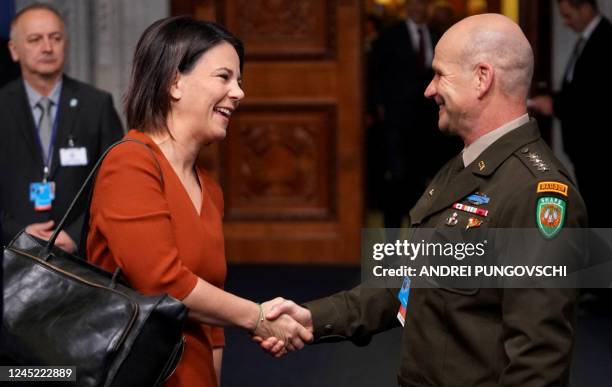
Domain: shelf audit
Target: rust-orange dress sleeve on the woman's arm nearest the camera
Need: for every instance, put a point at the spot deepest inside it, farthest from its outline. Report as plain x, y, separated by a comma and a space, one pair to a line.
132, 213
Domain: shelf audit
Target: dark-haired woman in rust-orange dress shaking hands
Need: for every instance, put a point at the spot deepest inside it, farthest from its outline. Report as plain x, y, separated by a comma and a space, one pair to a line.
155, 214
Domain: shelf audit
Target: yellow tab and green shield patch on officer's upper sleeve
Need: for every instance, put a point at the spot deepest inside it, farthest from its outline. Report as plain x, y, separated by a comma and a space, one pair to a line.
551, 210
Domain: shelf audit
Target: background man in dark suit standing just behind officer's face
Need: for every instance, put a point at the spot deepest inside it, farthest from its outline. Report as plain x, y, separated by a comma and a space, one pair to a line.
400, 70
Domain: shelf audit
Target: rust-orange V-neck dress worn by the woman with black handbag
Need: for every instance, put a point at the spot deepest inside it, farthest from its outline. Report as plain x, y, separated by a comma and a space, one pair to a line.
155, 235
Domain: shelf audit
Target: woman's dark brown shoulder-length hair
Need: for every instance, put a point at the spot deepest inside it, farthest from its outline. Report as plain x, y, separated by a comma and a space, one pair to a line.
168, 47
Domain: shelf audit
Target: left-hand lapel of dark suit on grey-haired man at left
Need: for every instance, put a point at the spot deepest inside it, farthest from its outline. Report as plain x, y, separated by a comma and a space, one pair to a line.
20, 107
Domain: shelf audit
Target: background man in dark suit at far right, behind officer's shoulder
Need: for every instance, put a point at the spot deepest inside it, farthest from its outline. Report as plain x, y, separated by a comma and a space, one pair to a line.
583, 104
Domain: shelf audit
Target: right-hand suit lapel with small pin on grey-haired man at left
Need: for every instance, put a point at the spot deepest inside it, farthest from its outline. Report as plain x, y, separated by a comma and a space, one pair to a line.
68, 110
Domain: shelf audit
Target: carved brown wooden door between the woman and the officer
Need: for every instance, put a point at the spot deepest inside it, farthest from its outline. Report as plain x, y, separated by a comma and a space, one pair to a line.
291, 165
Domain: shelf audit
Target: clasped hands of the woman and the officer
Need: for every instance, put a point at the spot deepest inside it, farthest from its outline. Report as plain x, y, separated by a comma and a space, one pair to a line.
283, 326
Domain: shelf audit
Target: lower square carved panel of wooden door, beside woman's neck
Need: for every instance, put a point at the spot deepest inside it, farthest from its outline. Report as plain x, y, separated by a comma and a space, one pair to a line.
278, 163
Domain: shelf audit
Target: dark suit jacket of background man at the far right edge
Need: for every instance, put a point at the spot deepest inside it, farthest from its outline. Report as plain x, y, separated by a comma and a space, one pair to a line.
583, 106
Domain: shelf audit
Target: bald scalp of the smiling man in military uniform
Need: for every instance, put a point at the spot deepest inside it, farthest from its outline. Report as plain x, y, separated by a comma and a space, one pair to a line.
498, 41
